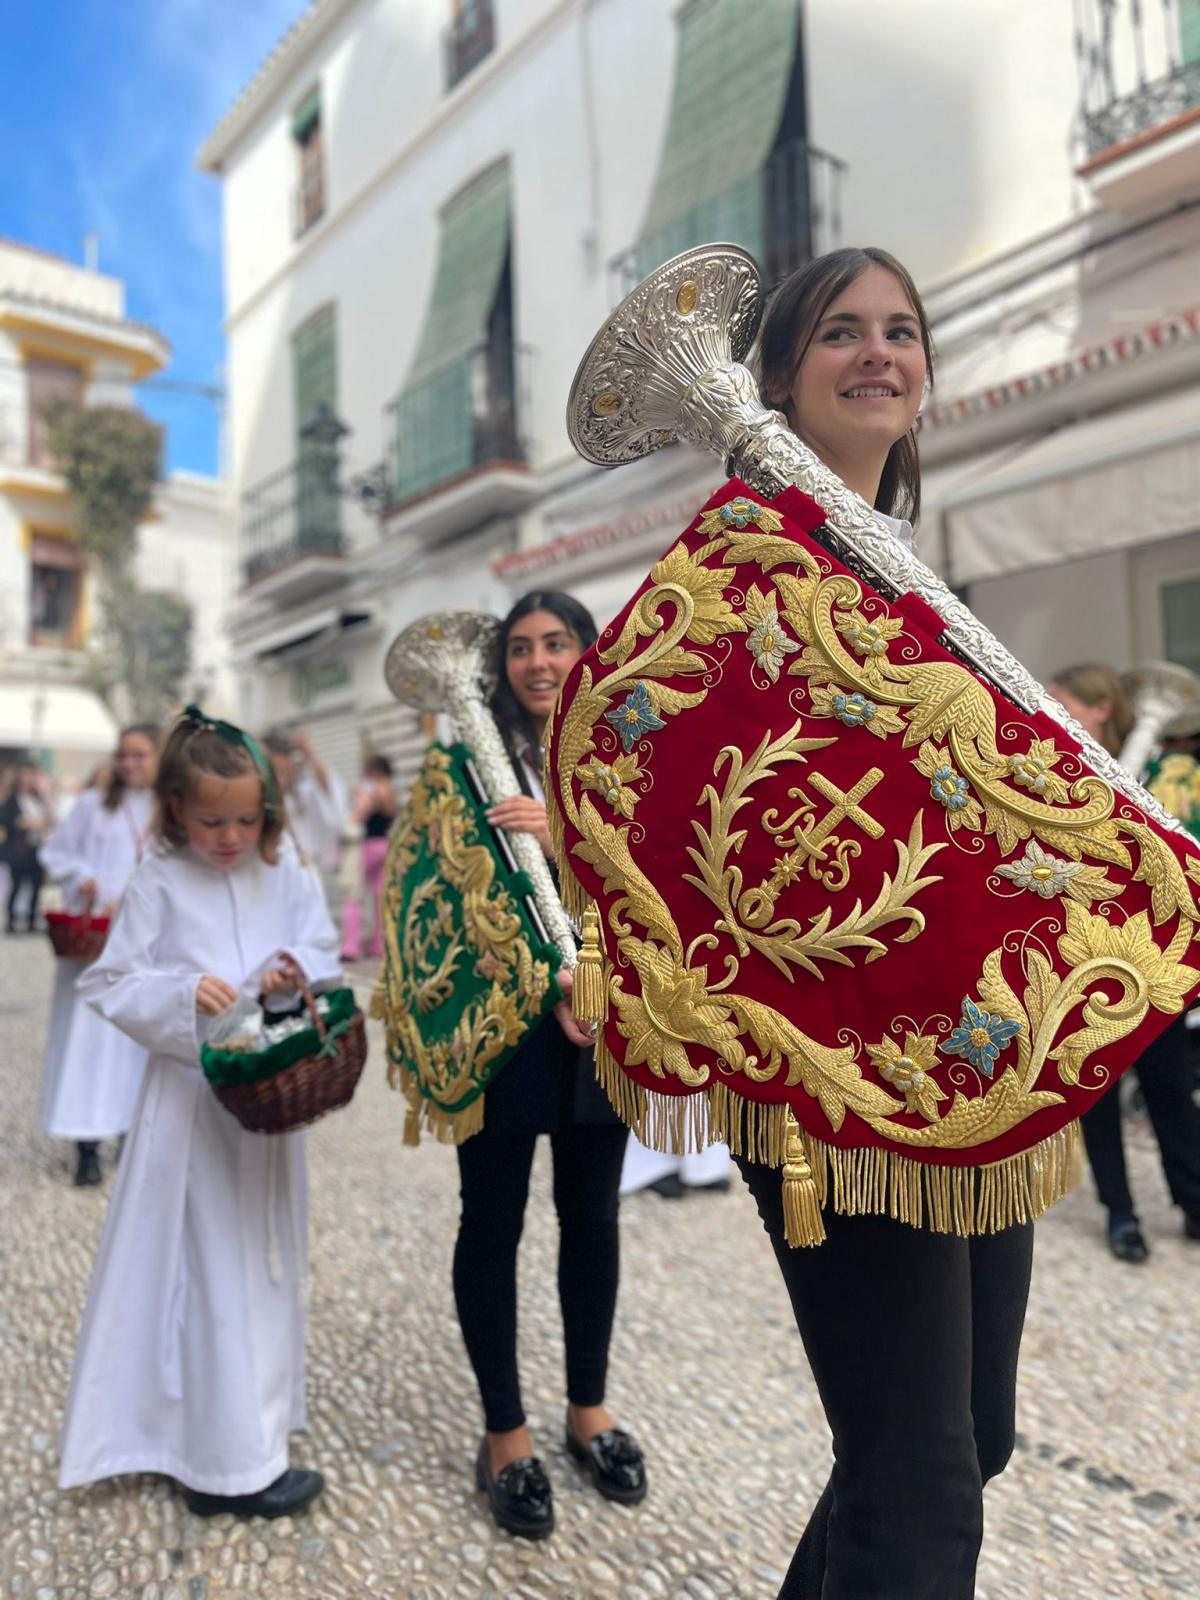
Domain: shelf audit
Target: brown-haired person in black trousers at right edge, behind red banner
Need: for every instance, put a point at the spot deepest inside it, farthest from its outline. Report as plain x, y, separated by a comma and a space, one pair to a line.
1097, 698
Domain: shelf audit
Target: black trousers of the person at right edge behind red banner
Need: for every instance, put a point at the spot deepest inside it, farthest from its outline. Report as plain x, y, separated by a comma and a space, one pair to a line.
1167, 1076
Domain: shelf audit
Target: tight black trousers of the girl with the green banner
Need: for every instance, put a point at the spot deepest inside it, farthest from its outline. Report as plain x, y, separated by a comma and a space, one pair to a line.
495, 1185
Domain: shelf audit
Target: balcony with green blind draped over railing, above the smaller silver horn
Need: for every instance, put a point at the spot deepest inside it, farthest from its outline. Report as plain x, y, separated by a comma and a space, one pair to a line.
458, 446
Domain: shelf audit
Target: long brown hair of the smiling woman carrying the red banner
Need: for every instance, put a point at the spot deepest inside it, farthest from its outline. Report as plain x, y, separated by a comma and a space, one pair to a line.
794, 316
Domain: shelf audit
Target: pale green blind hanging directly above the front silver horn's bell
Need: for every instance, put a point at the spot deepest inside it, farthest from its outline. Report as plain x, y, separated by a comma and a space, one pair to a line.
734, 68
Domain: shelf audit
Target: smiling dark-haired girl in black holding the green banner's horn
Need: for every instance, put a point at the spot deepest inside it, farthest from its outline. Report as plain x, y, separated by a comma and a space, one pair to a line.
548, 1087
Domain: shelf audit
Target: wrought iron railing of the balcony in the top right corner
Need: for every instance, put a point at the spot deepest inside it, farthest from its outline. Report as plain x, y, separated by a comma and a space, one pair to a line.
1140, 68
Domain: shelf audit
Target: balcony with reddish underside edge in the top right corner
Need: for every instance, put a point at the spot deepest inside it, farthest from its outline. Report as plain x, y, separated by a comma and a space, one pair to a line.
1140, 102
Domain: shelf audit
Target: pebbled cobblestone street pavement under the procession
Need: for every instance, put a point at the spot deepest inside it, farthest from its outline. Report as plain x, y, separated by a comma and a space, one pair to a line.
1102, 1500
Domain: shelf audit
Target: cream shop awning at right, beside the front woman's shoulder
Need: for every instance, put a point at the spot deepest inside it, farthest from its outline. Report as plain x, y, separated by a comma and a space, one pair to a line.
1122, 479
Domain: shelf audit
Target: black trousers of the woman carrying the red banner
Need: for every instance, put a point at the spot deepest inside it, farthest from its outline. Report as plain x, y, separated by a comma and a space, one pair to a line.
913, 1340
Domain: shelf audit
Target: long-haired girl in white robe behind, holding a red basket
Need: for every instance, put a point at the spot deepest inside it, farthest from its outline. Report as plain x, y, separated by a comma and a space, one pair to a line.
94, 1071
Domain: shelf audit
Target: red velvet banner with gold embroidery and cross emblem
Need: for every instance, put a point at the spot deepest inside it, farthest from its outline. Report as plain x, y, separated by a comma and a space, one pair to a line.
839, 873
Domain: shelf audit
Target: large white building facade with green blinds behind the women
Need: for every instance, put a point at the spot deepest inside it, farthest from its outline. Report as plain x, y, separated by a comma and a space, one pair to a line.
431, 207
